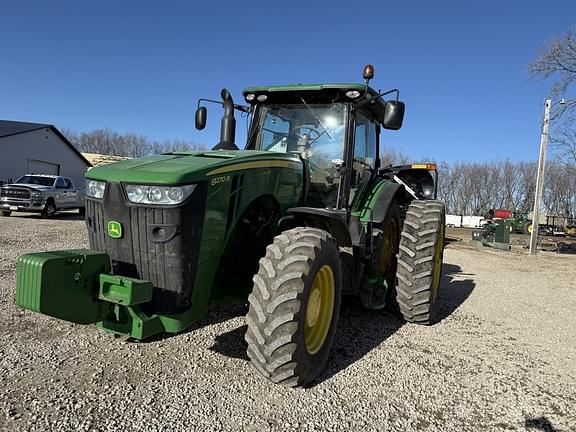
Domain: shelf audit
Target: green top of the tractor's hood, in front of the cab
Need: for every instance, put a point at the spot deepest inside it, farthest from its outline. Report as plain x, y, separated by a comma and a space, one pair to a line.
190, 167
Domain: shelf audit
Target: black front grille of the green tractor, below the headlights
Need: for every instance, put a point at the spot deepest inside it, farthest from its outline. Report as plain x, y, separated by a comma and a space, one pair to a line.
159, 244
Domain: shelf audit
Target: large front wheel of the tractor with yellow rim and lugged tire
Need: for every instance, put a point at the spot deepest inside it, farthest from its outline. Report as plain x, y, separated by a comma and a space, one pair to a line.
294, 306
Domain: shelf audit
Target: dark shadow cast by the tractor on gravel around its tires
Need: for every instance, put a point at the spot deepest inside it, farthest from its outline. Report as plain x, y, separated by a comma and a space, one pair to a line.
359, 330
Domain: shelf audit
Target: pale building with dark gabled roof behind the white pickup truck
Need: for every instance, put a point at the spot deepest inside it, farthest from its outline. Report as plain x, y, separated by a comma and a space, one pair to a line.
34, 148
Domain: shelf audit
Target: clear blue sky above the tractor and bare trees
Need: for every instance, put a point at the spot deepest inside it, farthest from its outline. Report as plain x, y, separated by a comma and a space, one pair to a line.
141, 66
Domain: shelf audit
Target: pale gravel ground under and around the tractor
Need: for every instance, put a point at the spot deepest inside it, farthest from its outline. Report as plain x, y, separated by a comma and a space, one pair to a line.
502, 357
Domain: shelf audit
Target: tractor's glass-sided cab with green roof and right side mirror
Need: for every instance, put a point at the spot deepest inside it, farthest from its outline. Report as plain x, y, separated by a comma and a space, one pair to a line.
333, 128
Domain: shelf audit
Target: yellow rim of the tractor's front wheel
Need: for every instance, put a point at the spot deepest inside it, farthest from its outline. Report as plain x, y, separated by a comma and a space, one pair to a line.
319, 310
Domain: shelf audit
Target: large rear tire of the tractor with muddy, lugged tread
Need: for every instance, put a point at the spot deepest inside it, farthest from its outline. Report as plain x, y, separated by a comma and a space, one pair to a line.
420, 261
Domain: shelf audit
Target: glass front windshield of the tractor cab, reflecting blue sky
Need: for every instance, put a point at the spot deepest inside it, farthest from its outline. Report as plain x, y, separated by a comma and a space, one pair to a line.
316, 132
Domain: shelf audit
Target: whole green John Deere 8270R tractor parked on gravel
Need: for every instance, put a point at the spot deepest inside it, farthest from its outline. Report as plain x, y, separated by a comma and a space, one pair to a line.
299, 218
